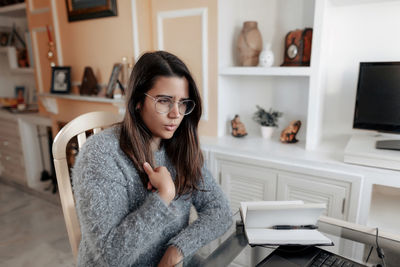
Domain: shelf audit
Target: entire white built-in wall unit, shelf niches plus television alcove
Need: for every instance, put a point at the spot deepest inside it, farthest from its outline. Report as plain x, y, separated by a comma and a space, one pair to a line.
322, 96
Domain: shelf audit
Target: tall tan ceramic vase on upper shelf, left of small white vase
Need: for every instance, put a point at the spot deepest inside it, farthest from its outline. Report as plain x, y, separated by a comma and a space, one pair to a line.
249, 44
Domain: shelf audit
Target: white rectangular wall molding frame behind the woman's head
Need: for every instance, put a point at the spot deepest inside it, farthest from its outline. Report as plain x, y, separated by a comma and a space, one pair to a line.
203, 12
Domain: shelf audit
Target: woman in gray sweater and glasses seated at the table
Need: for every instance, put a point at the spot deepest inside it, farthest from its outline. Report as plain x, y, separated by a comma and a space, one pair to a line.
134, 183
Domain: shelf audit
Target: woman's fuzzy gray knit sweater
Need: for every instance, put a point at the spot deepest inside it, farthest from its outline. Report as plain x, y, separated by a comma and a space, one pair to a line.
123, 224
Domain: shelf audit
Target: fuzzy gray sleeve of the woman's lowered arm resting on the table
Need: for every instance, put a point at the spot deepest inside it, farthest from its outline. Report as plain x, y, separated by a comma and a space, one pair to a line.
214, 217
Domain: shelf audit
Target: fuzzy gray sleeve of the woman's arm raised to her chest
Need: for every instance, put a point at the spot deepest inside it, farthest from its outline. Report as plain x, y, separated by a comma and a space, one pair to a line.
115, 236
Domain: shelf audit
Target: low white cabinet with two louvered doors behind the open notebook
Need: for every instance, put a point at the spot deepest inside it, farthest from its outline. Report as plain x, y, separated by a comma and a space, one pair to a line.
245, 179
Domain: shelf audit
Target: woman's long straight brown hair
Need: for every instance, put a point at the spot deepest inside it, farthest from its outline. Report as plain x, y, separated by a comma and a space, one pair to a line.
183, 148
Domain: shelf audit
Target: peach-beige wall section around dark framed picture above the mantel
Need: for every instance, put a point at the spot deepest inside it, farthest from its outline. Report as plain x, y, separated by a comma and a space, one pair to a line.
98, 43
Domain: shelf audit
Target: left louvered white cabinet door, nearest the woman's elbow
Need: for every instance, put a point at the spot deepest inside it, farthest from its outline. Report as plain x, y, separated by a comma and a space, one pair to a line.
246, 183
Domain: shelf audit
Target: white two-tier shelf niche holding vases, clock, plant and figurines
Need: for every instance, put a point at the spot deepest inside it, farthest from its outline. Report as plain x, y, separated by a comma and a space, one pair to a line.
286, 89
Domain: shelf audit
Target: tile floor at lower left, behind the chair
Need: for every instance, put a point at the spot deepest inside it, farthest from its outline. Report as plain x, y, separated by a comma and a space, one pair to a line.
32, 231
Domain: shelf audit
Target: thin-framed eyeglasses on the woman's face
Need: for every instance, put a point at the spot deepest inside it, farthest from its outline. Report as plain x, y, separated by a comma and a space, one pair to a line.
165, 105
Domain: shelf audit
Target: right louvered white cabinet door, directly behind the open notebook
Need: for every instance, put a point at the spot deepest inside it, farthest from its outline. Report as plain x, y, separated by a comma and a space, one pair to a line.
312, 189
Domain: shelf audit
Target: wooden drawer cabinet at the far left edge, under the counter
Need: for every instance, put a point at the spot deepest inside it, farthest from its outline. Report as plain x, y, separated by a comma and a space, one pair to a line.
12, 166
